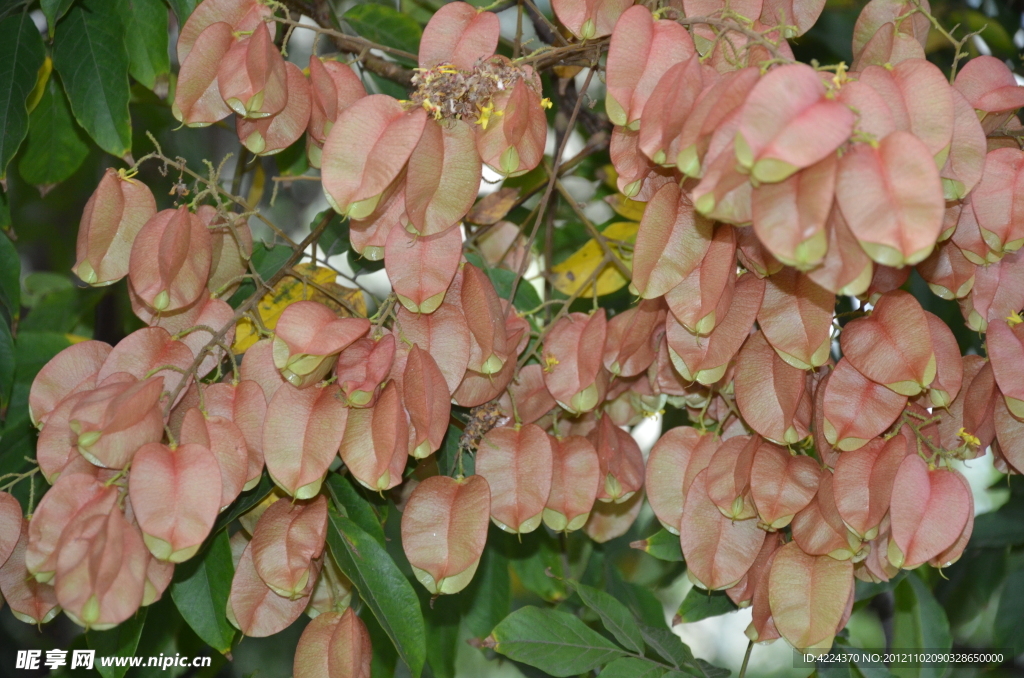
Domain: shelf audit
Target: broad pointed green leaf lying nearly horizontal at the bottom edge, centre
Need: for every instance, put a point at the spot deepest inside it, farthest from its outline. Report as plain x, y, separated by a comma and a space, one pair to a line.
553, 642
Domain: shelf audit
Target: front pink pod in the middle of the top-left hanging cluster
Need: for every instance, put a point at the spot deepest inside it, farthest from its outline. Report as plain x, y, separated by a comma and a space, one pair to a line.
252, 78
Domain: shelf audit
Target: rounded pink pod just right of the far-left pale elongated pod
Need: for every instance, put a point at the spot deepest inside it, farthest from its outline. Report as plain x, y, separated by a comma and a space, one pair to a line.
179, 243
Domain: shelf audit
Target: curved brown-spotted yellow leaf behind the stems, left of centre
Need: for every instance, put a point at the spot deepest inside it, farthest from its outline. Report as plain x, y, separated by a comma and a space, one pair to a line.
313, 284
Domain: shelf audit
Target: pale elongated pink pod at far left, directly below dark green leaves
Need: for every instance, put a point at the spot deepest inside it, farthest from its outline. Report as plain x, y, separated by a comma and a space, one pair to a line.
116, 213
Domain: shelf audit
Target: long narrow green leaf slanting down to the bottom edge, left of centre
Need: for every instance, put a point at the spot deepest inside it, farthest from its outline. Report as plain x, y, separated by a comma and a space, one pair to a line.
381, 585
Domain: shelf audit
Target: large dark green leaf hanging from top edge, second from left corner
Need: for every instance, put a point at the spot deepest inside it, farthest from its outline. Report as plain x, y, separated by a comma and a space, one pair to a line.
90, 54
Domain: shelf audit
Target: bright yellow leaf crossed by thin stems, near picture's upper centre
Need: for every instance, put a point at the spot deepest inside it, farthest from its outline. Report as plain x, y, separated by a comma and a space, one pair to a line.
572, 275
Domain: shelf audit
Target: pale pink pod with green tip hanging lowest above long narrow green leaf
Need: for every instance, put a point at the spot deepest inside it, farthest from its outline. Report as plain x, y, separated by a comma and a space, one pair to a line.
445, 530
